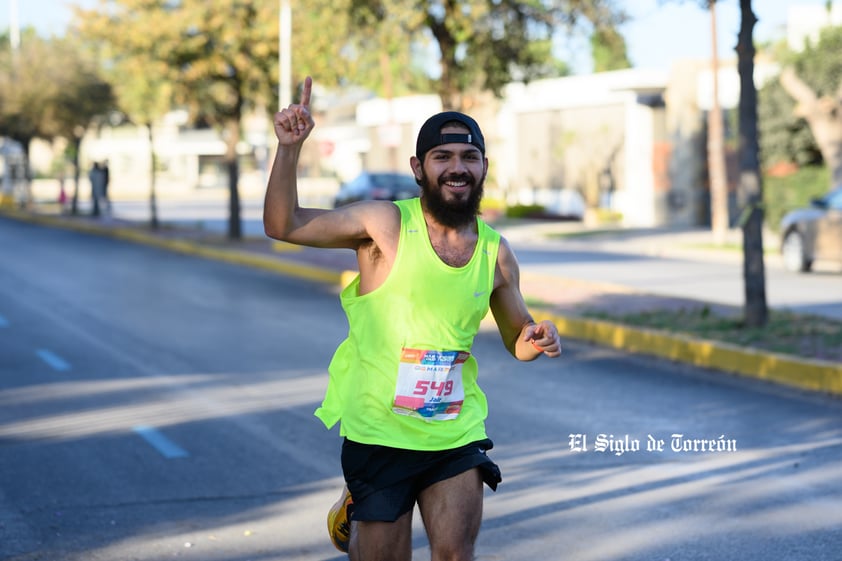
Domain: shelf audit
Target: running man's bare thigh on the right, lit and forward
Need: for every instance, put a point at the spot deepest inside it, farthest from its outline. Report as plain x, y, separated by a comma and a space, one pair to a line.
452, 514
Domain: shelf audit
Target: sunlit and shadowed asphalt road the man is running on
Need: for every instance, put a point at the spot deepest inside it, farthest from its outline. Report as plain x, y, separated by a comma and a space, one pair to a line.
157, 406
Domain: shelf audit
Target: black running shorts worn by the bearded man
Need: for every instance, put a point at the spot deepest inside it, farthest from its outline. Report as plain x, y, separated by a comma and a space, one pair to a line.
385, 482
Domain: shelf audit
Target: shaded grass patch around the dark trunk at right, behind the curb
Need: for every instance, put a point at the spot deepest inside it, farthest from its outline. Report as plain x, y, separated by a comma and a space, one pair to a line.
786, 332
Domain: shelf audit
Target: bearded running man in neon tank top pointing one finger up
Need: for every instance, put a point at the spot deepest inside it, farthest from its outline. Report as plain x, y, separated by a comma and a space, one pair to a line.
403, 384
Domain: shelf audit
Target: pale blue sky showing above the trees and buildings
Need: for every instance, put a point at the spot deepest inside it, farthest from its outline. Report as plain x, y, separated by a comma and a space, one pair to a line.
656, 37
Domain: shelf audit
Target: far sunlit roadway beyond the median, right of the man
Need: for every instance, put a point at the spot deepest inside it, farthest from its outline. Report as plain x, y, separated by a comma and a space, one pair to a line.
659, 265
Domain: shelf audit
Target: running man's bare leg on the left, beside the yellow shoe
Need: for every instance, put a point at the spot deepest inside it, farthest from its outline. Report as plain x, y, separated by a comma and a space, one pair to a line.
382, 541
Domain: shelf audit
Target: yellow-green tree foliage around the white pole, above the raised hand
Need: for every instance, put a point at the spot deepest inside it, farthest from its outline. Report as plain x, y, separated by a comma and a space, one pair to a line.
218, 58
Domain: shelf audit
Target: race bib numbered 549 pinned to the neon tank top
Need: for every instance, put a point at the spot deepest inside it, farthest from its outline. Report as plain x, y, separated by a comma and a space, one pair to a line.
430, 384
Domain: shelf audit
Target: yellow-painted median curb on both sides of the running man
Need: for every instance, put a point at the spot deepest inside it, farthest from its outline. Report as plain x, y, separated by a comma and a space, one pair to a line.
802, 373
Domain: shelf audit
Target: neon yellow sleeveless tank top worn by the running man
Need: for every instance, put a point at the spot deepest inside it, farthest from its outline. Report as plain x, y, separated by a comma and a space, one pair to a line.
404, 377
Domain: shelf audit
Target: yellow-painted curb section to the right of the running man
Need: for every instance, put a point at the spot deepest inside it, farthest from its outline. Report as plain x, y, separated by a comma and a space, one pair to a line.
816, 375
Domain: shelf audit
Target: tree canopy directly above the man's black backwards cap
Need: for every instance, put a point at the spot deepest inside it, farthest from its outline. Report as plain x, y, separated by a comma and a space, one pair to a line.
485, 44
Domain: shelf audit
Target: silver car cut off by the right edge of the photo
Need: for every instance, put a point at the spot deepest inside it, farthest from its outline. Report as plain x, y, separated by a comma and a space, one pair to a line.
814, 233
